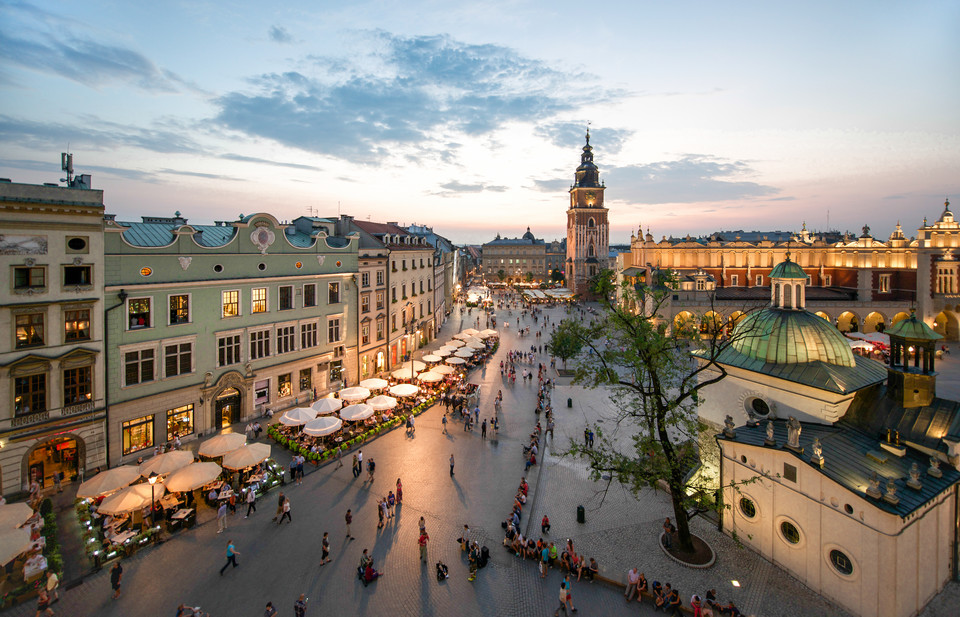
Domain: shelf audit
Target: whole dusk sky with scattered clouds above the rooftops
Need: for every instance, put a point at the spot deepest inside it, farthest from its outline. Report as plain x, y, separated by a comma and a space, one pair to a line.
470, 116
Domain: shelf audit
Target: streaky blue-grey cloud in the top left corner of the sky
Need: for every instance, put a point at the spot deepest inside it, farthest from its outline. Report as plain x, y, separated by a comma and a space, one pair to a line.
58, 51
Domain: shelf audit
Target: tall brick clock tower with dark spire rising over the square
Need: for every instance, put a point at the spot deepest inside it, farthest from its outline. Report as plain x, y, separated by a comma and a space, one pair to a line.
588, 233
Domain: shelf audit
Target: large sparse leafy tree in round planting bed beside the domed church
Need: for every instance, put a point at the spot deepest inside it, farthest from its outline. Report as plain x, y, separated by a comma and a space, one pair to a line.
656, 372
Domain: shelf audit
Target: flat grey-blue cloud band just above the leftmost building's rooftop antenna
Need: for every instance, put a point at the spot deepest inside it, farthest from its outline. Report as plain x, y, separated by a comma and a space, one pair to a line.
81, 135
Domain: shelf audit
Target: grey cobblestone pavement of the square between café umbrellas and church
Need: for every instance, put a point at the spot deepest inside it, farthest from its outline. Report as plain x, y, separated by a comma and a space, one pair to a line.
279, 563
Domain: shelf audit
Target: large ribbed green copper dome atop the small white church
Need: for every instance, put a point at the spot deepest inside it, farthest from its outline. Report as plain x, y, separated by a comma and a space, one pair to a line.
783, 336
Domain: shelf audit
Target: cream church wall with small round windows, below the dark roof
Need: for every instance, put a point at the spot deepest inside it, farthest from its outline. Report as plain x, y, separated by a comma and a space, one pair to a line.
899, 565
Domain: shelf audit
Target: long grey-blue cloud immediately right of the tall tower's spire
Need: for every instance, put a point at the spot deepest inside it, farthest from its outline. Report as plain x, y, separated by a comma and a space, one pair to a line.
693, 178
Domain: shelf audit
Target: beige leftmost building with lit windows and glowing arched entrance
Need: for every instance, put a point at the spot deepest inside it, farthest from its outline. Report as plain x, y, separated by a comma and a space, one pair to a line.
52, 359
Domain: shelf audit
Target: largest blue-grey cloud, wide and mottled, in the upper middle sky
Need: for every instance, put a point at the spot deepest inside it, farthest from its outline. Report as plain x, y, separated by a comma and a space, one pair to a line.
411, 92
